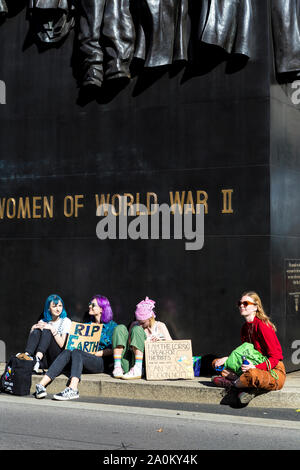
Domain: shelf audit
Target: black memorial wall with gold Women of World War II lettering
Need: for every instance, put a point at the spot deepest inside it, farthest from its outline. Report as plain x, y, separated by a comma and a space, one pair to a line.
109, 107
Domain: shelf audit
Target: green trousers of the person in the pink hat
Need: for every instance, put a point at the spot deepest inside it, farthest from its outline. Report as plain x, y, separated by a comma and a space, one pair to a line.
121, 338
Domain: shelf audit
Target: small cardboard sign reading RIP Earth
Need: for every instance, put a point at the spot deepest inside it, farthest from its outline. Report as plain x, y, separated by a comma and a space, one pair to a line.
84, 336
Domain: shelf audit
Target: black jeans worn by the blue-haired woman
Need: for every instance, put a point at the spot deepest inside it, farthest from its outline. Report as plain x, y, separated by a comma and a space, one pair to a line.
44, 342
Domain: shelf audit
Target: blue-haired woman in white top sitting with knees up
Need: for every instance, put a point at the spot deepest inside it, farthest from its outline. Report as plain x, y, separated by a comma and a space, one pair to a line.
47, 337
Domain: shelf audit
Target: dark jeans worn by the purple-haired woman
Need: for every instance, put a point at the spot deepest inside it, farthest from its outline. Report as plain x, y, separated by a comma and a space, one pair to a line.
78, 361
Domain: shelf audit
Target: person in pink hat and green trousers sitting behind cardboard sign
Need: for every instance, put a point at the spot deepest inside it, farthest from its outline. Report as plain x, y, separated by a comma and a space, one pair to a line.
128, 346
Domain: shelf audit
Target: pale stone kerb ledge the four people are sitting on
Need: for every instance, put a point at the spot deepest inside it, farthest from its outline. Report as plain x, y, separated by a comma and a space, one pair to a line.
198, 390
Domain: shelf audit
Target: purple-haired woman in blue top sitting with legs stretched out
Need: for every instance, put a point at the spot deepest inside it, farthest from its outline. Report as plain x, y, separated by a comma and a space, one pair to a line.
79, 361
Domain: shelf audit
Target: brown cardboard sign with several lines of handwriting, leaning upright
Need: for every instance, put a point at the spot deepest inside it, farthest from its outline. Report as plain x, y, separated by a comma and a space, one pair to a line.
169, 360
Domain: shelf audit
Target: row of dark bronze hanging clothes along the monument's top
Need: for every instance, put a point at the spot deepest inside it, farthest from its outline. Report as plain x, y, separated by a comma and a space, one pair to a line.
111, 33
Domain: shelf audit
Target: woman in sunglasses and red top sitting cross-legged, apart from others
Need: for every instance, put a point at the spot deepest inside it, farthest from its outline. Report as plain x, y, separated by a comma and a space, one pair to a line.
261, 332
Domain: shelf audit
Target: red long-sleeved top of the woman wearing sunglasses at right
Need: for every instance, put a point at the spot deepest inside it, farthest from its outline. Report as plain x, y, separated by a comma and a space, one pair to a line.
264, 339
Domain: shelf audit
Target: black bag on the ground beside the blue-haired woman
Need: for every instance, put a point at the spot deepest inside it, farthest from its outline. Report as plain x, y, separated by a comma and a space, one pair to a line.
16, 378
